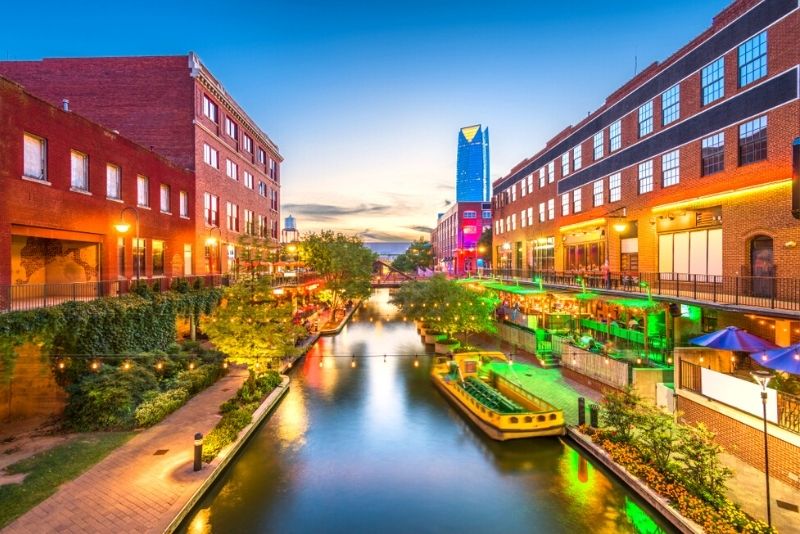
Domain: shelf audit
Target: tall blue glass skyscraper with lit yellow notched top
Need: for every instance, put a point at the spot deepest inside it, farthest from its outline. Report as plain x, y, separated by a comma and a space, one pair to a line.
472, 166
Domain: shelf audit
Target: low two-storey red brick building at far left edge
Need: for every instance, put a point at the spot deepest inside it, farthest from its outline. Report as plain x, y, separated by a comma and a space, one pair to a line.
66, 181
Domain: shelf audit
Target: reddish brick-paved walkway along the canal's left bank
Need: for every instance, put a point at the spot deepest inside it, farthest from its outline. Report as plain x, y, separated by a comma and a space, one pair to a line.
134, 489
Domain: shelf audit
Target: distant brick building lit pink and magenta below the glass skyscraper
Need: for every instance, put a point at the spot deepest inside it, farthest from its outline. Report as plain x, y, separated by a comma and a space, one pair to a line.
455, 238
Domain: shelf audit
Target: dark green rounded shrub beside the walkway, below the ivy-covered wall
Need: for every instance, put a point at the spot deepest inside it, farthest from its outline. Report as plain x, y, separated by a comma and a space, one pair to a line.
108, 399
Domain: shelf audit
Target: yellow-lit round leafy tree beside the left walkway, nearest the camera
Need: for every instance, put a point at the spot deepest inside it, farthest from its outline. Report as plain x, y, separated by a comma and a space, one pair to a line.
251, 327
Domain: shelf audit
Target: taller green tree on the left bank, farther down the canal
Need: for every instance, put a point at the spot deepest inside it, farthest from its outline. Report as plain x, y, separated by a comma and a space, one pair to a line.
343, 261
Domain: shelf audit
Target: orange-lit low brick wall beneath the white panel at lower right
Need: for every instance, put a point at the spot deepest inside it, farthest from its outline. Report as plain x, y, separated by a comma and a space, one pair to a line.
746, 442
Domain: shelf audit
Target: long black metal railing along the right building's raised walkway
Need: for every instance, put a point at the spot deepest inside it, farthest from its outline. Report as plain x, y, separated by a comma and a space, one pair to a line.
751, 291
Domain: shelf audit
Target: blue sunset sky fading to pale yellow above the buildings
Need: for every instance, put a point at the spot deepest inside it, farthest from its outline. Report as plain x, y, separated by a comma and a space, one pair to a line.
365, 99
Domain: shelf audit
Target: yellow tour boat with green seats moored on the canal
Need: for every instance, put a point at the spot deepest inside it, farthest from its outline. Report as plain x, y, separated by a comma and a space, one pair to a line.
501, 408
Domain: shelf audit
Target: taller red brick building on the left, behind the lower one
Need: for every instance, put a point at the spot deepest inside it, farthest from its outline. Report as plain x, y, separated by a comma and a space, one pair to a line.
175, 106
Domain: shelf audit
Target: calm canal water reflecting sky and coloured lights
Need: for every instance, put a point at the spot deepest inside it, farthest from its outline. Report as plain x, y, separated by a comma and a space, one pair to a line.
376, 448
